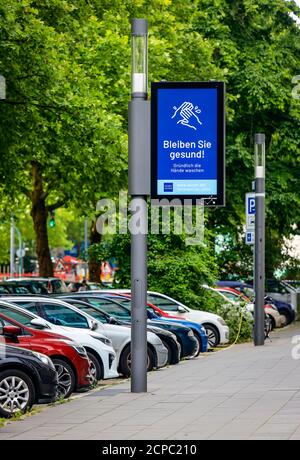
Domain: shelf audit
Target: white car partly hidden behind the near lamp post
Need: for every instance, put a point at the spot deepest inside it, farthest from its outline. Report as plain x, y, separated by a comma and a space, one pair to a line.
63, 314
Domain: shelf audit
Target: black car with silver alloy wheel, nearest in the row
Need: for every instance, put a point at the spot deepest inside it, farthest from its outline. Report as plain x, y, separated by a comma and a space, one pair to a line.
25, 378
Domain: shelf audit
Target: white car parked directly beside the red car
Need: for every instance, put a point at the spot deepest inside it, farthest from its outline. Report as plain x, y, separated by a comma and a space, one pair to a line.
98, 347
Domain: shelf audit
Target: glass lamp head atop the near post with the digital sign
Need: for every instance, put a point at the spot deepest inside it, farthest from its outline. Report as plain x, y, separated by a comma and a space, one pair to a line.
139, 64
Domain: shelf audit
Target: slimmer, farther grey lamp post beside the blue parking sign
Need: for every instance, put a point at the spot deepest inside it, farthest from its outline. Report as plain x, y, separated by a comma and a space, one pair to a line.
259, 280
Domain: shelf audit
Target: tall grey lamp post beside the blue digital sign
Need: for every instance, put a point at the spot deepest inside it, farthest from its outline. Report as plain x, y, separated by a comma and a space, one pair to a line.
139, 189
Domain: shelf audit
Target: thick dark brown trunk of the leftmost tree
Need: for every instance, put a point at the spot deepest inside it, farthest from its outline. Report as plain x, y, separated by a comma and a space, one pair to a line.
39, 214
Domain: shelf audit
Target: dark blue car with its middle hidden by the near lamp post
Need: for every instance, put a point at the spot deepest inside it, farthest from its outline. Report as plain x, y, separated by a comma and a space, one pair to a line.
188, 343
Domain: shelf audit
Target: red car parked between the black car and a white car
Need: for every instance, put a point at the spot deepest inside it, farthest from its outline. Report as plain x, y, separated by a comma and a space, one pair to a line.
70, 359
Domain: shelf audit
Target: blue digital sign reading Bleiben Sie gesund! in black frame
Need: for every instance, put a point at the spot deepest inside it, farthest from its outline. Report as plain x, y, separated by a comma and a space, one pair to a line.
188, 141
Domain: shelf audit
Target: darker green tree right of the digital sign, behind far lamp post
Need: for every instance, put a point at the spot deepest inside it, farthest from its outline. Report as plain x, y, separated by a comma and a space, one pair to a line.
257, 44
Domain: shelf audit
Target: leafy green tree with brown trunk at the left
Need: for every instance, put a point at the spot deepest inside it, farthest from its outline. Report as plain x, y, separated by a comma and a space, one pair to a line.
60, 141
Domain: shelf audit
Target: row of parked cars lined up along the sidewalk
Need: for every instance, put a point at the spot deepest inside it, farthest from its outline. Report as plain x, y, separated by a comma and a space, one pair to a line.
54, 342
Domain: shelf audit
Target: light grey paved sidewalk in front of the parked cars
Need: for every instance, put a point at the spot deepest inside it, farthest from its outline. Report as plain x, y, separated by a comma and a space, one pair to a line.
239, 393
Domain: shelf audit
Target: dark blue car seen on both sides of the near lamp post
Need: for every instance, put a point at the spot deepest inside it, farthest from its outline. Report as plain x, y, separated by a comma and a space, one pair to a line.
189, 346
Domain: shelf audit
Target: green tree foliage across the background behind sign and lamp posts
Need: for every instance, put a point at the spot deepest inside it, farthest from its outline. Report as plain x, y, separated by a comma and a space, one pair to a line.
63, 125
